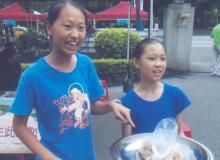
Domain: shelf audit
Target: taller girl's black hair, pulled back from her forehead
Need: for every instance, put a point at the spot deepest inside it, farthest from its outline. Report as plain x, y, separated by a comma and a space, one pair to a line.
56, 7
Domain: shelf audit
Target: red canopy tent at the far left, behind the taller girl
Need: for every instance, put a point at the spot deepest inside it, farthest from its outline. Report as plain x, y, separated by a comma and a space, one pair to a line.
16, 12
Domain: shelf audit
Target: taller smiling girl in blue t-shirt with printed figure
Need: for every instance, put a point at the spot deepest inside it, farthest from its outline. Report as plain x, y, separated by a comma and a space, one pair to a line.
64, 89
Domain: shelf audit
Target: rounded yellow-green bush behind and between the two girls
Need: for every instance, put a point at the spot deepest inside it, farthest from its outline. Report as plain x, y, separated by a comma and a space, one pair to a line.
112, 42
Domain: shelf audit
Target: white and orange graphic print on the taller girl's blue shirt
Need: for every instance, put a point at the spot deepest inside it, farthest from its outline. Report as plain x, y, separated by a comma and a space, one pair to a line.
74, 108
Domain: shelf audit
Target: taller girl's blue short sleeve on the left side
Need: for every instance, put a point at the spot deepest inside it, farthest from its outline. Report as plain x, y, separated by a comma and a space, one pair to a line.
24, 99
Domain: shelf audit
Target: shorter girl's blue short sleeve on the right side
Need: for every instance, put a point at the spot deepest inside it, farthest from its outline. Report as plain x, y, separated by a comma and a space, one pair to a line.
181, 100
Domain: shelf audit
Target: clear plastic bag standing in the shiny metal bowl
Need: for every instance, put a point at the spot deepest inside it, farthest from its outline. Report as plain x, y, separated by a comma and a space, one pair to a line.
164, 137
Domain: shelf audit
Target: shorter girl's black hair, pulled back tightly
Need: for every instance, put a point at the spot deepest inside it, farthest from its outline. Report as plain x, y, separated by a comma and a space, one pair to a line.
139, 49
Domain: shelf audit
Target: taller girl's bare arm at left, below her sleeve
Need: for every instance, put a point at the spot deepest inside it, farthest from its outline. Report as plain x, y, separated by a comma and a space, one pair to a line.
25, 135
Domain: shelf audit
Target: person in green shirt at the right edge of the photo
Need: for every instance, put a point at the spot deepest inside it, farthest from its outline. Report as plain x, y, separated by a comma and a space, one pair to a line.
215, 70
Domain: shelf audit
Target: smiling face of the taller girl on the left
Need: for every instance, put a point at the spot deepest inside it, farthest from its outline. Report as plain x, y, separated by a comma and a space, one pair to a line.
68, 31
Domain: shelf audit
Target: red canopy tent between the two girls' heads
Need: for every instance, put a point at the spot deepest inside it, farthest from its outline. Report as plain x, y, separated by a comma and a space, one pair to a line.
120, 11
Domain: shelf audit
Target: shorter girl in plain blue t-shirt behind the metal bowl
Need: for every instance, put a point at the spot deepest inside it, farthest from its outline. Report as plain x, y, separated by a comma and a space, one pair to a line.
152, 100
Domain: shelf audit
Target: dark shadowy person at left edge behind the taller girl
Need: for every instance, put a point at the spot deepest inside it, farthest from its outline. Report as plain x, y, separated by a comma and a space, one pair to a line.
10, 68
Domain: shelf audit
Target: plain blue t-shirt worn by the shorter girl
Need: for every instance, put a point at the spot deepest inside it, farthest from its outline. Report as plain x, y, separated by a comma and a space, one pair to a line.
146, 114
